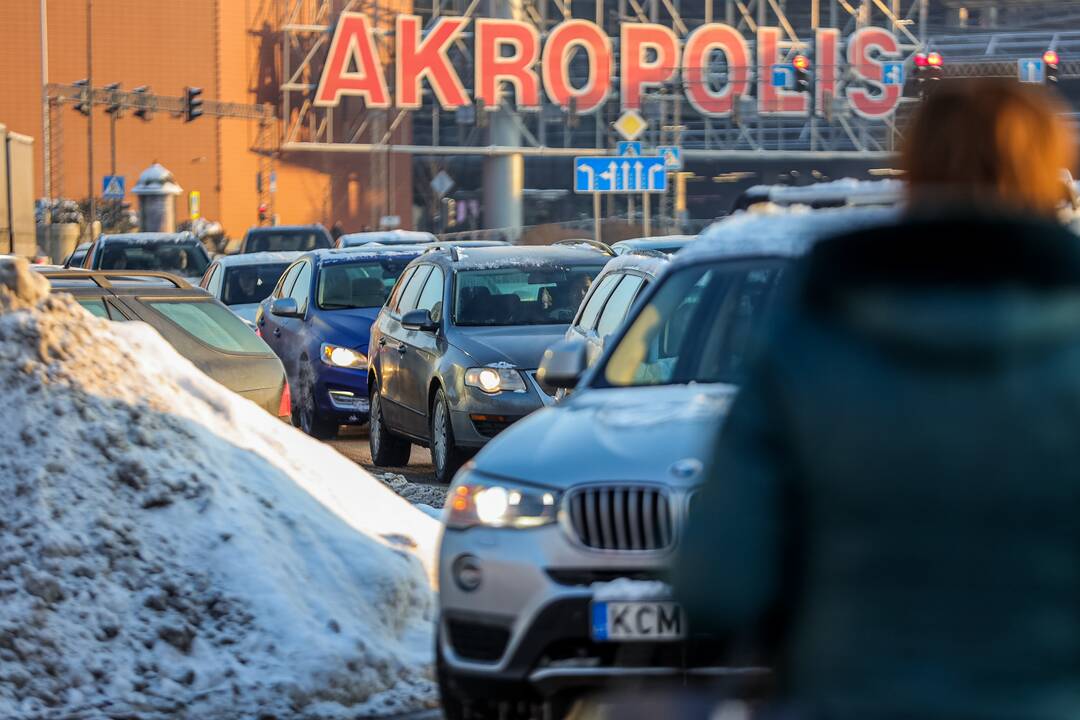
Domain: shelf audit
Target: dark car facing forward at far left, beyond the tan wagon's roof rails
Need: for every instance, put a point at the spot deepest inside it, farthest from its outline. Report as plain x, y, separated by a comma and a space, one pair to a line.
175, 253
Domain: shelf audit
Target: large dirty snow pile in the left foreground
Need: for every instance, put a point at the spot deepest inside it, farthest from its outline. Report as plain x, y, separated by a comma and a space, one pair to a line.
169, 549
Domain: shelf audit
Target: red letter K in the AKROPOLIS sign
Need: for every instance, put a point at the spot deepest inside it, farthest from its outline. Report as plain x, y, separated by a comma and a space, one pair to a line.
428, 59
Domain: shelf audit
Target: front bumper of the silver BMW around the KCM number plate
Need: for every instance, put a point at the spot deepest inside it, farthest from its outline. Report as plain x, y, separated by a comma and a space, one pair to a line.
528, 627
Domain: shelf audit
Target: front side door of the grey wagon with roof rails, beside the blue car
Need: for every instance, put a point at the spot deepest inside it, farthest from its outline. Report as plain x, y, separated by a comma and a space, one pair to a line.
421, 355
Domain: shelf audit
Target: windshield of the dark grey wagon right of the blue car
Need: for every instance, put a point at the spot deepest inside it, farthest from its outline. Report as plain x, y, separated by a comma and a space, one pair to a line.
521, 296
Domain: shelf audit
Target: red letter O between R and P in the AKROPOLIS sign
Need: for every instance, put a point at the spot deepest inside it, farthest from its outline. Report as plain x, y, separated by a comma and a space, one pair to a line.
562, 43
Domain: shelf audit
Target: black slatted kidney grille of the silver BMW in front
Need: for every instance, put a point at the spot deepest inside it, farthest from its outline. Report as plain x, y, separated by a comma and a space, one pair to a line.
622, 519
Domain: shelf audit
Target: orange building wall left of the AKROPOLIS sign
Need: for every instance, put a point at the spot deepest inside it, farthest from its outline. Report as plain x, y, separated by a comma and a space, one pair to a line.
224, 48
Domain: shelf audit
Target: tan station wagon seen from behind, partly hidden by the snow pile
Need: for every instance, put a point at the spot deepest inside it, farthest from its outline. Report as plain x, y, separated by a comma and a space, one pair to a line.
198, 327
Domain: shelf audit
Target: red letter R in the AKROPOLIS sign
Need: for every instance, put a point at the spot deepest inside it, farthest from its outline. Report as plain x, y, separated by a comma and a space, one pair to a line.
493, 69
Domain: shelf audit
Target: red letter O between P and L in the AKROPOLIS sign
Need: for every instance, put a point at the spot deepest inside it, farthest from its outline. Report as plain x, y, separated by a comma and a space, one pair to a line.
700, 46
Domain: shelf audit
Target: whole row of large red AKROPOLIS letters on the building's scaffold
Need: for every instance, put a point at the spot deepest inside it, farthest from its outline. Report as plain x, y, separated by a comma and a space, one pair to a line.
508, 53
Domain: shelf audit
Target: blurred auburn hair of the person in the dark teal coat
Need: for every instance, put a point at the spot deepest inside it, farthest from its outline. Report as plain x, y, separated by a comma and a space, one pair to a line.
991, 143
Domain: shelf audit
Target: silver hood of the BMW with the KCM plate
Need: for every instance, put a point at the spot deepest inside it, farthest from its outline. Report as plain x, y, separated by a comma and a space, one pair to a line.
661, 434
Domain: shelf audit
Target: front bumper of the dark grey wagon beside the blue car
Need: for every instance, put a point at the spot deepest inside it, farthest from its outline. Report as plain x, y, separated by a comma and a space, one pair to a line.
479, 417
